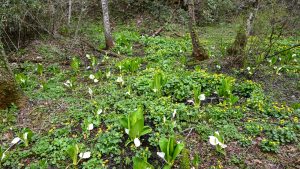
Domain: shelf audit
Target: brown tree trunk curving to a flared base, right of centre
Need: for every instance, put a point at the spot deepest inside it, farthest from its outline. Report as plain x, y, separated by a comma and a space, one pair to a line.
199, 52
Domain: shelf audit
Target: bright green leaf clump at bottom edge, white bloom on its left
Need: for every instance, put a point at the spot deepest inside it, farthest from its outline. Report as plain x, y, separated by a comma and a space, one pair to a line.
170, 149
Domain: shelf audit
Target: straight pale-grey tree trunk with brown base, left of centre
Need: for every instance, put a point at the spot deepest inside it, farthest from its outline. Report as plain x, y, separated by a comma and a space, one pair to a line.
107, 30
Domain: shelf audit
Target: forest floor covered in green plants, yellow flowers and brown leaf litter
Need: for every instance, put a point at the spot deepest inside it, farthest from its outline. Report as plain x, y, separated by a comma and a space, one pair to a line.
255, 108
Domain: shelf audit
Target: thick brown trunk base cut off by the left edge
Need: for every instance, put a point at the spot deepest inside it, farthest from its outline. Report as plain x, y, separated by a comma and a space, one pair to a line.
9, 91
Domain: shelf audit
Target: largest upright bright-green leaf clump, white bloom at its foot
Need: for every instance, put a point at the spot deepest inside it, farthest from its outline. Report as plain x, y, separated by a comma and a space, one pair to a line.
134, 126
